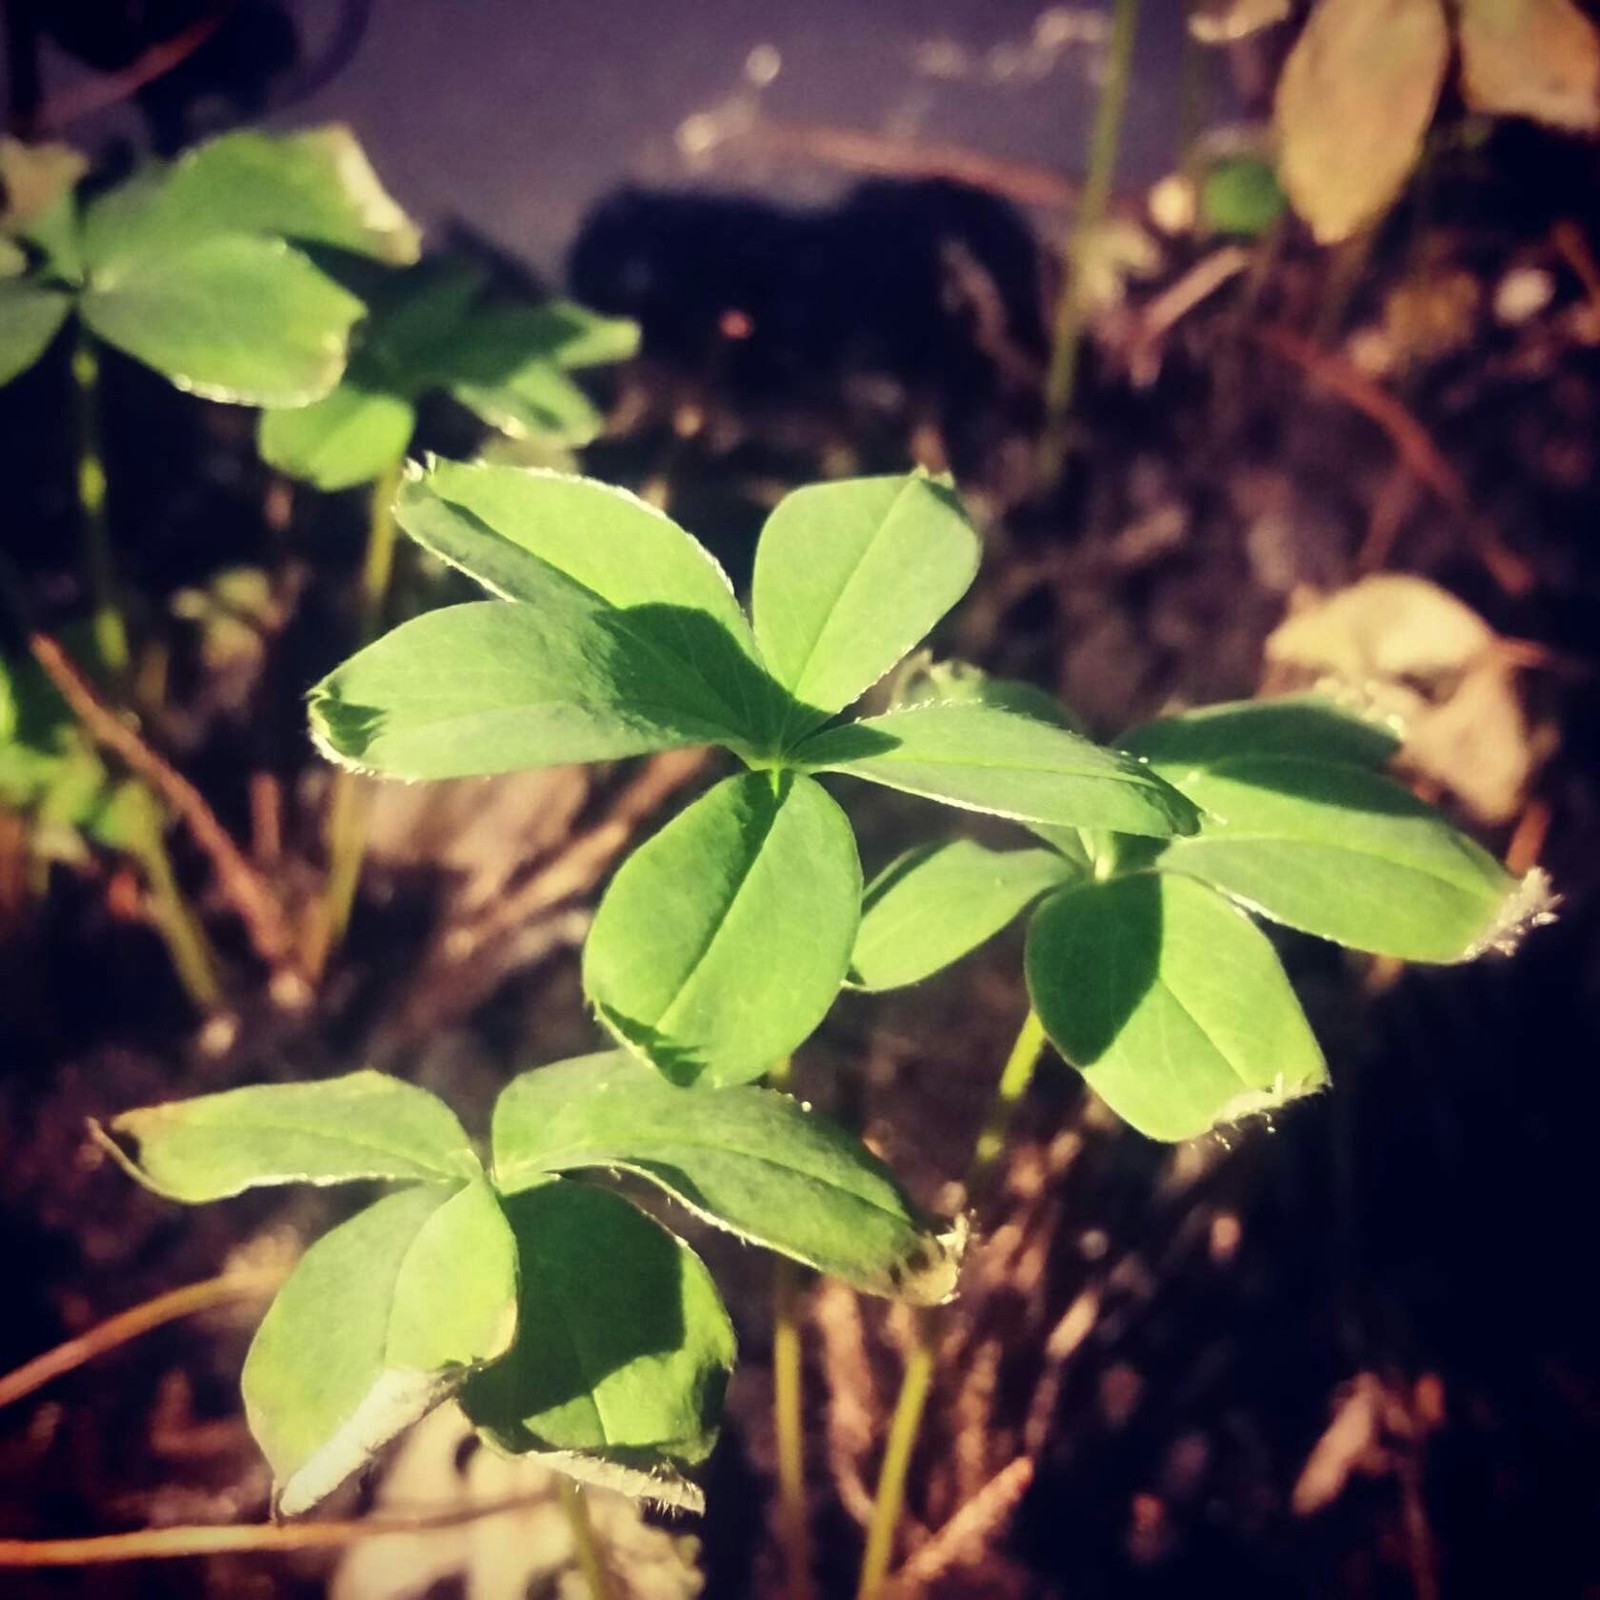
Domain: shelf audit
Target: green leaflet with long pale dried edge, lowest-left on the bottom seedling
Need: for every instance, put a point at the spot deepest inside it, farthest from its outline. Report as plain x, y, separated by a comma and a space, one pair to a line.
383, 1319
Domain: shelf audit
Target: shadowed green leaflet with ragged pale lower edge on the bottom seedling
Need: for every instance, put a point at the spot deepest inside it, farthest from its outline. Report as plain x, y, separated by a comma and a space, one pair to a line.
623, 1350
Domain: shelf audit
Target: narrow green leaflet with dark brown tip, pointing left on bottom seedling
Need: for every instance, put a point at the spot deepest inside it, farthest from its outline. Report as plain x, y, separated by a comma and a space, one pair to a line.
335, 1132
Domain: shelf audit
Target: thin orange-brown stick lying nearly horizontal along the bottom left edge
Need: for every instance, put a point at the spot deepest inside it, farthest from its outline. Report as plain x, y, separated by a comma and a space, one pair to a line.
257, 1538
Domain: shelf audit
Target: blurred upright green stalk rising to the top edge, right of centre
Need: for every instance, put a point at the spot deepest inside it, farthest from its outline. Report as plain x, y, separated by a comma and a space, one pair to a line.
1068, 334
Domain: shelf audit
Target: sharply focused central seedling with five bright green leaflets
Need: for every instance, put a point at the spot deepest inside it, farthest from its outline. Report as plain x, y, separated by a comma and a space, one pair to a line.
722, 942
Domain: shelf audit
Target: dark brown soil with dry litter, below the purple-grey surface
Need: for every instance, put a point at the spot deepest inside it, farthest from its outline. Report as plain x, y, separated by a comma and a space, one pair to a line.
1169, 1335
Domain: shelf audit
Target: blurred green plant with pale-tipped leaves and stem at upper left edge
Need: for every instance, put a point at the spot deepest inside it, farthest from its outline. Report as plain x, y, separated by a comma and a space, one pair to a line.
191, 271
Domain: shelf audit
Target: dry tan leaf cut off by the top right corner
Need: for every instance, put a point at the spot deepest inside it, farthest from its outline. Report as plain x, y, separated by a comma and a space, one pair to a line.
1532, 58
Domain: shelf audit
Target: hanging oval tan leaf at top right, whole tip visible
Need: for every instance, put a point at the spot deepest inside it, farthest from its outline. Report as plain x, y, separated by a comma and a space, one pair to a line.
1354, 105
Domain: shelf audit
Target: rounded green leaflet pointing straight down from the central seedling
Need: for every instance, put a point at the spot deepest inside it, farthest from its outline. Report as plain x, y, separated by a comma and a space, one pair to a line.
722, 943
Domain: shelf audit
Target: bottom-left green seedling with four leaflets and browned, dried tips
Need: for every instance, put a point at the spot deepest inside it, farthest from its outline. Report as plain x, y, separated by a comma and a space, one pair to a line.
567, 1322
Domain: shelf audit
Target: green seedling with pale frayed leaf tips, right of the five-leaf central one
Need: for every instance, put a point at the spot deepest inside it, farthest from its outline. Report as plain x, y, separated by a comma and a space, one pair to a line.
1145, 961
